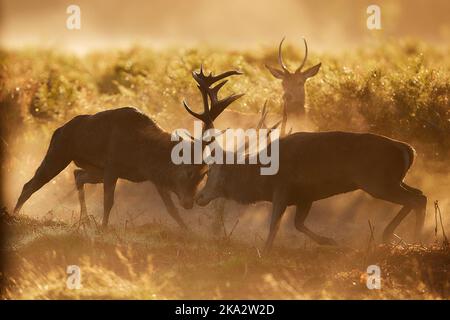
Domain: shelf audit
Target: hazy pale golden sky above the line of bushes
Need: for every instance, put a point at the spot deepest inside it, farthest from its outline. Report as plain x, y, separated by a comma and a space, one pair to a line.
327, 24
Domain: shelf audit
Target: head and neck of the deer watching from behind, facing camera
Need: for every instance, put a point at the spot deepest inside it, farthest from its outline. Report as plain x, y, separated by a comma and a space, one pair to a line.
294, 82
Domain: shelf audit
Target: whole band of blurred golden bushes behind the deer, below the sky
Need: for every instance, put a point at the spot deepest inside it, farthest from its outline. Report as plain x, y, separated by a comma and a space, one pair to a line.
399, 89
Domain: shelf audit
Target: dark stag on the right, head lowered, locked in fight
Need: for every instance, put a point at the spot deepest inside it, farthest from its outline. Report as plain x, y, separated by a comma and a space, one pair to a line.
315, 166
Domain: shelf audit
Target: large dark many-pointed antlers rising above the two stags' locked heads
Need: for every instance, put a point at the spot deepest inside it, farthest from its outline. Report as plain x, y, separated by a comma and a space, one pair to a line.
217, 106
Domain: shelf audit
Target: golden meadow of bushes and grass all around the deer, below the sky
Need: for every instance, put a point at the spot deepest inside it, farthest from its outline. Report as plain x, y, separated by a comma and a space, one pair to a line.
395, 88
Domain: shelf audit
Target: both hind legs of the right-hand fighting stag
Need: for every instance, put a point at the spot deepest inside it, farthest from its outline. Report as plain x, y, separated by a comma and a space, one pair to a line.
410, 198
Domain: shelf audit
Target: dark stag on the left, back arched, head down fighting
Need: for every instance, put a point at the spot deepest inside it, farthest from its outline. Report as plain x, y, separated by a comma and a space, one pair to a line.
121, 143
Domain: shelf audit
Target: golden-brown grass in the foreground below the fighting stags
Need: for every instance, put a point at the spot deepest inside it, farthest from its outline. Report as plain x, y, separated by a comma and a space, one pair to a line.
155, 262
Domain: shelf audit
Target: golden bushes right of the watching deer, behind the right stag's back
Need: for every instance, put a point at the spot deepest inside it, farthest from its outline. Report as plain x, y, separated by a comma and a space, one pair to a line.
400, 90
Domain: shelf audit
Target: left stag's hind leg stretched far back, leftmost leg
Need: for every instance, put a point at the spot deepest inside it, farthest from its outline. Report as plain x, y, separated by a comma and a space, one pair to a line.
50, 167
